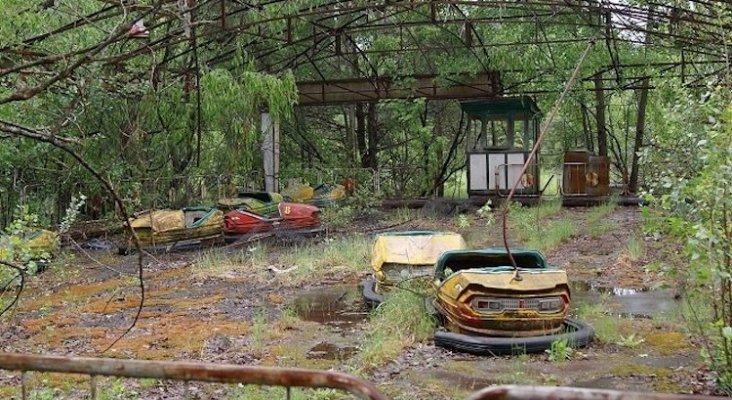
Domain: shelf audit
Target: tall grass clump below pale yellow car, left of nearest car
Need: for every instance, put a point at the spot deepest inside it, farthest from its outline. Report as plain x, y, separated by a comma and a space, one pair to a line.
397, 323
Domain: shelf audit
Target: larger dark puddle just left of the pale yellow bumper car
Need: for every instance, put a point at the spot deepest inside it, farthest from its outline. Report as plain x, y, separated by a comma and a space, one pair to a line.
339, 306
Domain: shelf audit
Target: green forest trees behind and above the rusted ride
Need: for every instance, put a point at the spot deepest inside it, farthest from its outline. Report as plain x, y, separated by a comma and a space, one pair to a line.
176, 108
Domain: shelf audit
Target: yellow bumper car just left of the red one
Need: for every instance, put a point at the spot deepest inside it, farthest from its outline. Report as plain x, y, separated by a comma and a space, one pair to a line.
179, 229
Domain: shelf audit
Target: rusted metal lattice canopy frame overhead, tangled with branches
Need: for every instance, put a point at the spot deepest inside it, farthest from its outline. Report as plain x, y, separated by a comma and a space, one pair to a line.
328, 41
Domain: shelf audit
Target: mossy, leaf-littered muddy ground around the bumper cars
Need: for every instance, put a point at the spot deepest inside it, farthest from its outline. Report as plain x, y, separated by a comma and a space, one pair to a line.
240, 307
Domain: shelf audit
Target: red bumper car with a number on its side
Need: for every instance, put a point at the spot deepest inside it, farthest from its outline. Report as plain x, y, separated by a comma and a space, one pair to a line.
289, 219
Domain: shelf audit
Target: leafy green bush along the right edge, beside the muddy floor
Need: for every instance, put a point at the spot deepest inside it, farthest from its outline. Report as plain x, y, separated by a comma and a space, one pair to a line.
696, 206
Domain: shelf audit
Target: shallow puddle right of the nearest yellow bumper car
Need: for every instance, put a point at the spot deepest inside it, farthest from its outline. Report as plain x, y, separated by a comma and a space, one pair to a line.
637, 303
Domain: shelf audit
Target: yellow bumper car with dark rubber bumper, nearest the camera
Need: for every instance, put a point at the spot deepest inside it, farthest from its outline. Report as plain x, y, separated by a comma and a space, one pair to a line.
488, 307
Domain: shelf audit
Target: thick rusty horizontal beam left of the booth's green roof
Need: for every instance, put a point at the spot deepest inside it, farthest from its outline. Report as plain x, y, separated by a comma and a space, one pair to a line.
403, 87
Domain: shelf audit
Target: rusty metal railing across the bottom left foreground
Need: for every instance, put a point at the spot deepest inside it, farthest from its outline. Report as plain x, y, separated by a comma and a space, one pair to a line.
187, 371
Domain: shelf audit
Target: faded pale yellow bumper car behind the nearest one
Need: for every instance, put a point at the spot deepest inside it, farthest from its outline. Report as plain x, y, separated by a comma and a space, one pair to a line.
401, 256
